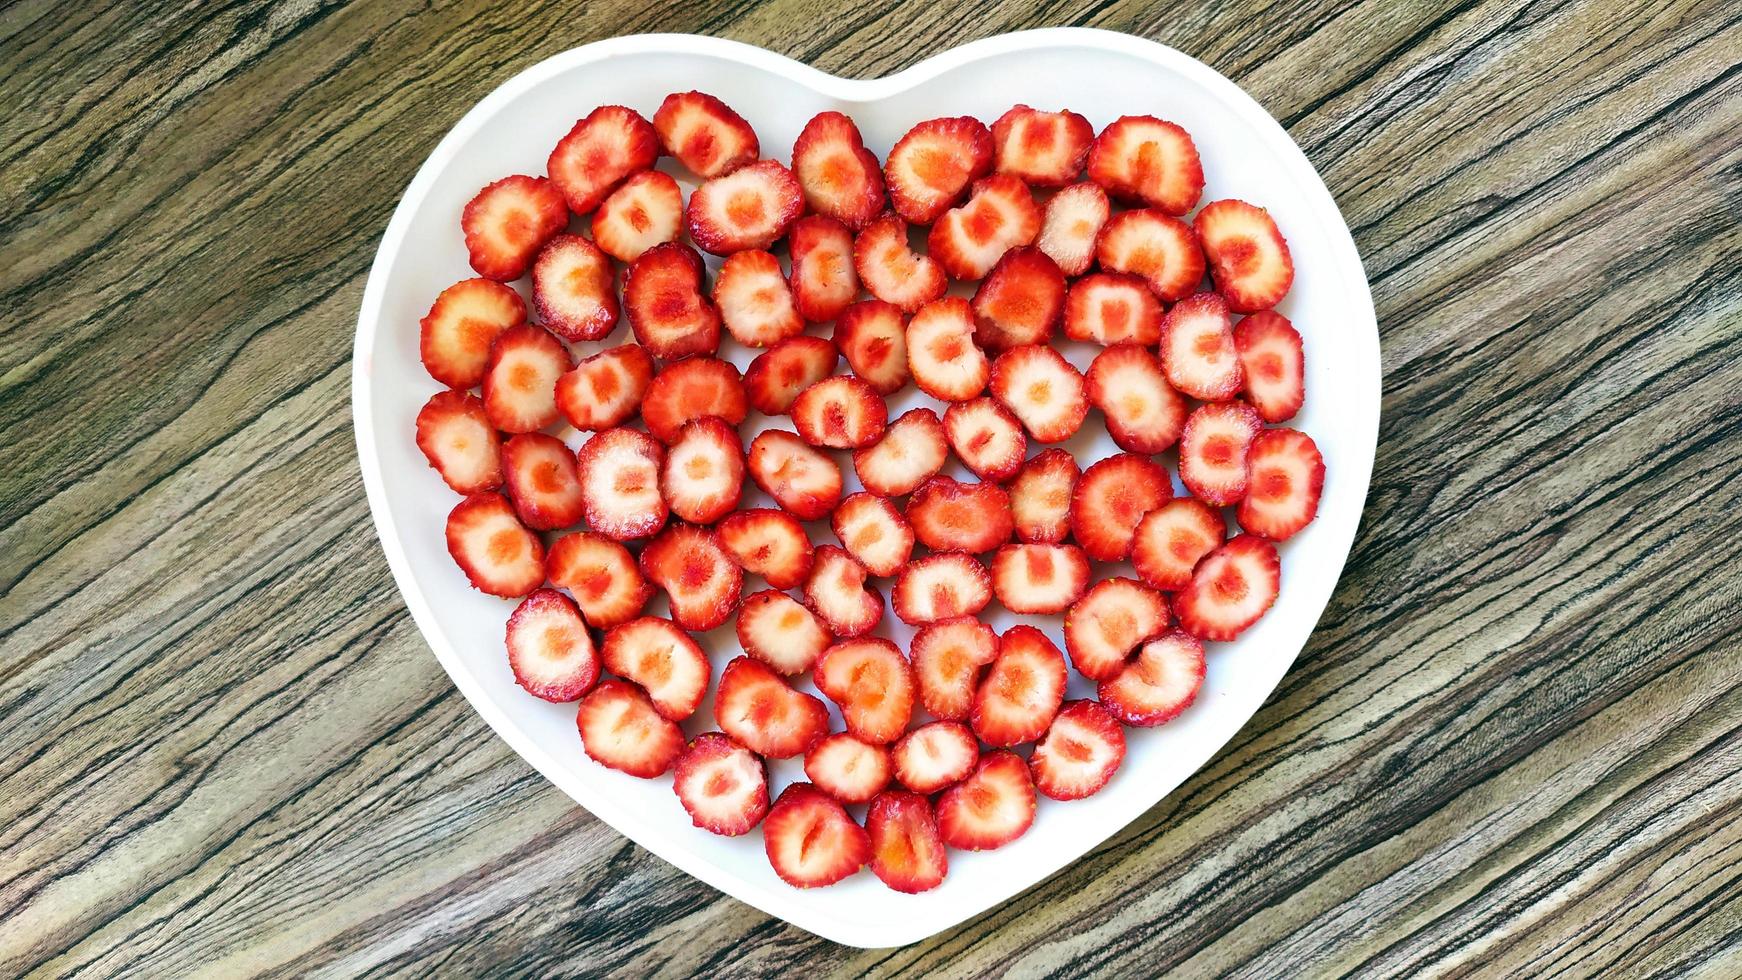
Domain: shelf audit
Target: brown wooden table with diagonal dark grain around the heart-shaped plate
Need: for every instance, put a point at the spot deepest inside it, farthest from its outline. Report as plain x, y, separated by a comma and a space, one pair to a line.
1513, 746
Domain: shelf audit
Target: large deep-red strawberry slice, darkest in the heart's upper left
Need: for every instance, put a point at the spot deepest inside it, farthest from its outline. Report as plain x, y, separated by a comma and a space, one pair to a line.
663, 295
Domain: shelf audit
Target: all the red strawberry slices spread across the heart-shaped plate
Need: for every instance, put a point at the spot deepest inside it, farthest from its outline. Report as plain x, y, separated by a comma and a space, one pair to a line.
952, 265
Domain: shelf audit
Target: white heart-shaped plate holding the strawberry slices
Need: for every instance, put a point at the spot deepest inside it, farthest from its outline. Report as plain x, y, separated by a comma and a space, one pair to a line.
1098, 74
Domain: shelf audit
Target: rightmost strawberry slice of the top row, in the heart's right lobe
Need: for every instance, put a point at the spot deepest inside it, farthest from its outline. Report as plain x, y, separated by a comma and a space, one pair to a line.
1145, 161
